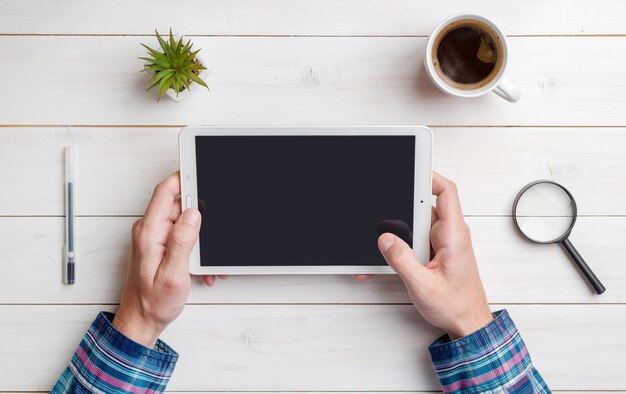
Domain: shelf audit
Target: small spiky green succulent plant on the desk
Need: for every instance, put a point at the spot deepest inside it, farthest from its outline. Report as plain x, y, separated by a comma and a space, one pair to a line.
175, 67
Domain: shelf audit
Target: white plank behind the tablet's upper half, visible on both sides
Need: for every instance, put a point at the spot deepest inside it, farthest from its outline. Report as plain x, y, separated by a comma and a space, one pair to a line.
118, 167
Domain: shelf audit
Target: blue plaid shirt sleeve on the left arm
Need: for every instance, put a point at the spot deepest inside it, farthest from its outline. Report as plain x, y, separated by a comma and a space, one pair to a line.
106, 361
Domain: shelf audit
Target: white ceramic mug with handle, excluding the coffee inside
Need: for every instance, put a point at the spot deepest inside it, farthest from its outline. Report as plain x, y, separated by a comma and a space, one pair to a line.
498, 84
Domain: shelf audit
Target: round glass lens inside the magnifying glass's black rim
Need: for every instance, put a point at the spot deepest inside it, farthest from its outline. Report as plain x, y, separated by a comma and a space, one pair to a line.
545, 213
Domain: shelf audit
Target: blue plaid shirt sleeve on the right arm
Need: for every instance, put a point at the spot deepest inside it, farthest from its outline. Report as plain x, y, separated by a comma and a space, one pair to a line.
493, 359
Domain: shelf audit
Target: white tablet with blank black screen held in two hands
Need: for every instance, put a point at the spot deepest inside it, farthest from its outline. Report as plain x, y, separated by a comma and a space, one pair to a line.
291, 200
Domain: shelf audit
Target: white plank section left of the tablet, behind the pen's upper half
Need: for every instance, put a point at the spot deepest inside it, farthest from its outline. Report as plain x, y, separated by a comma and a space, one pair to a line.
117, 168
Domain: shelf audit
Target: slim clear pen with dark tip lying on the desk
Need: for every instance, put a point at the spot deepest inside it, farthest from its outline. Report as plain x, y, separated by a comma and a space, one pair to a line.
69, 256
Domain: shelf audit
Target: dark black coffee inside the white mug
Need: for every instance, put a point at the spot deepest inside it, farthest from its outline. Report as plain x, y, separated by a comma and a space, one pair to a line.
467, 55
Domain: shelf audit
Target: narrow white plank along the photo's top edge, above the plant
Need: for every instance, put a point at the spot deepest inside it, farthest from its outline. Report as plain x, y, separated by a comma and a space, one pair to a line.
322, 17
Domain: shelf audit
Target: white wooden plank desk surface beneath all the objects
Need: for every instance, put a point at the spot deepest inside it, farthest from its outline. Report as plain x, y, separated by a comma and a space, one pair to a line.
68, 74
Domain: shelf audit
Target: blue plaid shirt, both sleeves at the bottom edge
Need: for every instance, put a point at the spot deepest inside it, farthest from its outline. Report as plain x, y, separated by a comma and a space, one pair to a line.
492, 360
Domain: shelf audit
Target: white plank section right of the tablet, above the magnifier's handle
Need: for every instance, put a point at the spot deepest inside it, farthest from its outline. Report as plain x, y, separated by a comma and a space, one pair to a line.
491, 165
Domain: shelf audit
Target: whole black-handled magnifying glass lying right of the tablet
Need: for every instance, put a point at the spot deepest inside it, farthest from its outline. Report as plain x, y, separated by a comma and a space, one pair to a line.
545, 212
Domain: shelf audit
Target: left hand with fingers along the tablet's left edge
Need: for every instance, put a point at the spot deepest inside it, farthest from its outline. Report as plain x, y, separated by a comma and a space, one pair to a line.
157, 284
